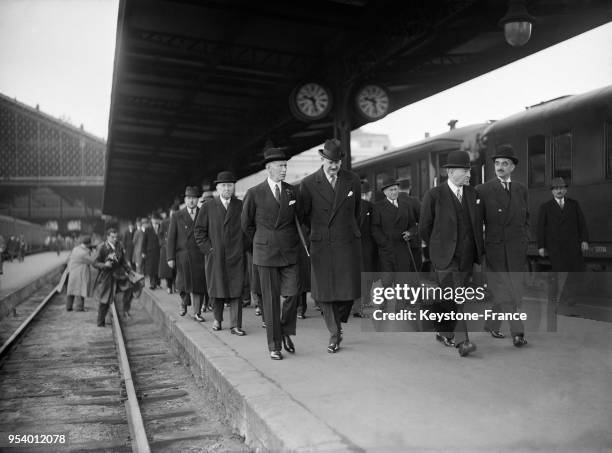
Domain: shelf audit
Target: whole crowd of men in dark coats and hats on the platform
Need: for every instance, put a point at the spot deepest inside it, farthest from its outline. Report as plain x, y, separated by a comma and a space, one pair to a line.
283, 241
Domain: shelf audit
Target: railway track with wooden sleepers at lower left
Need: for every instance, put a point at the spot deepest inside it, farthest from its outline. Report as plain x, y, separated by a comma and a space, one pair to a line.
68, 385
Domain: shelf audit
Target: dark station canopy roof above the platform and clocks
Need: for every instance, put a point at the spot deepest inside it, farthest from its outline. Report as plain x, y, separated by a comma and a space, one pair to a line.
202, 86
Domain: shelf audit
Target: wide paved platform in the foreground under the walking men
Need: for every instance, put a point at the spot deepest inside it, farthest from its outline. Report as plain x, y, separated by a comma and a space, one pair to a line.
403, 391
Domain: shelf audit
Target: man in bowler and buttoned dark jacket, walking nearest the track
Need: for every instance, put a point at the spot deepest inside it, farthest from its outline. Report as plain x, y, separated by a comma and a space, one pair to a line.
269, 219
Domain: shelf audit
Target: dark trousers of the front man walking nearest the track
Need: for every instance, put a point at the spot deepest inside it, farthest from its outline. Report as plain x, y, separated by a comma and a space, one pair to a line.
280, 321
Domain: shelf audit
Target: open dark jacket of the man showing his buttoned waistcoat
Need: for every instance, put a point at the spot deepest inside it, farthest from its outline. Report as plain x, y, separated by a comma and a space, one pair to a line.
438, 226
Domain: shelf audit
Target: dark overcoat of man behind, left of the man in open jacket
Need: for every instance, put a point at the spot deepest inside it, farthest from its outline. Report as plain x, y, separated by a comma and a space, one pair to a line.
388, 224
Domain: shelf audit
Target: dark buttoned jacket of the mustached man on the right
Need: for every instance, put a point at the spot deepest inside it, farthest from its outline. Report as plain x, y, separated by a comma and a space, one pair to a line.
506, 220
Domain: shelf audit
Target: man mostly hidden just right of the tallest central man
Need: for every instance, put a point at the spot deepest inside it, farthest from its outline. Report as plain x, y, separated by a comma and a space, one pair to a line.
369, 253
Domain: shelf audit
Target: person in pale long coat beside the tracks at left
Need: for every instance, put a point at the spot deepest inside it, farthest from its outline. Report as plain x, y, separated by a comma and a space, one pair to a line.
79, 276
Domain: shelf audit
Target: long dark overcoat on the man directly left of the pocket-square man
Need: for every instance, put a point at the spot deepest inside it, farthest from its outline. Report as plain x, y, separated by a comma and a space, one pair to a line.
219, 236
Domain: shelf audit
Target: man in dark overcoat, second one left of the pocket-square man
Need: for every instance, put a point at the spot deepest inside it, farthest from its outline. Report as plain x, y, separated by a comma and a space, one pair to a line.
183, 252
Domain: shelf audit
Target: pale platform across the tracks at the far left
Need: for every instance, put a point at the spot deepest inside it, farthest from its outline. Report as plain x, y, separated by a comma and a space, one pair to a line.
17, 275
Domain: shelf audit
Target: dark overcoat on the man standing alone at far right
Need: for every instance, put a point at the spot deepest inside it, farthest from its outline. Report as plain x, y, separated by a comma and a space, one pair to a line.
560, 232
